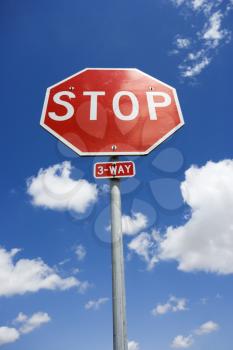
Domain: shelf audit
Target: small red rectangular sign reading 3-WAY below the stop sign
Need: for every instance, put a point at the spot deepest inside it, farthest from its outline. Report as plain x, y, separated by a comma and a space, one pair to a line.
114, 169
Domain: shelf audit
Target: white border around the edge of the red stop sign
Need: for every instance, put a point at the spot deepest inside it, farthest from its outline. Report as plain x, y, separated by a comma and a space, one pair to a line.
76, 150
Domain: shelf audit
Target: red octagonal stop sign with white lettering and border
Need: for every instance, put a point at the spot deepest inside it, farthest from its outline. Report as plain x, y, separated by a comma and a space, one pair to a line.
111, 112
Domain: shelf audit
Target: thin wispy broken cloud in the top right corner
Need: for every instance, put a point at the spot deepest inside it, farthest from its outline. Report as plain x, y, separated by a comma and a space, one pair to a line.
206, 39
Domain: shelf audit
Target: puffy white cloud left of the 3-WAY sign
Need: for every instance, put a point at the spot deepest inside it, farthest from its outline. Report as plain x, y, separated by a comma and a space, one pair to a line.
53, 188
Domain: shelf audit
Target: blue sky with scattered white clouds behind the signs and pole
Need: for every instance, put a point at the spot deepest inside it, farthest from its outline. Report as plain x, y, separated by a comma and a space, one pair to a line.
55, 265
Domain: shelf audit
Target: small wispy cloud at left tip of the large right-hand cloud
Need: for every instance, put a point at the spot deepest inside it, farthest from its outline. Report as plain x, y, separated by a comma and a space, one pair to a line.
146, 245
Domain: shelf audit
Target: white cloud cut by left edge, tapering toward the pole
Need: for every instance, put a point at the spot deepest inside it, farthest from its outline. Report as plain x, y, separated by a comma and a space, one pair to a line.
30, 275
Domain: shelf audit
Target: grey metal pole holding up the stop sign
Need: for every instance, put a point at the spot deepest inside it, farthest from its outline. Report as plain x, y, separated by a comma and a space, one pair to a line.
118, 279
